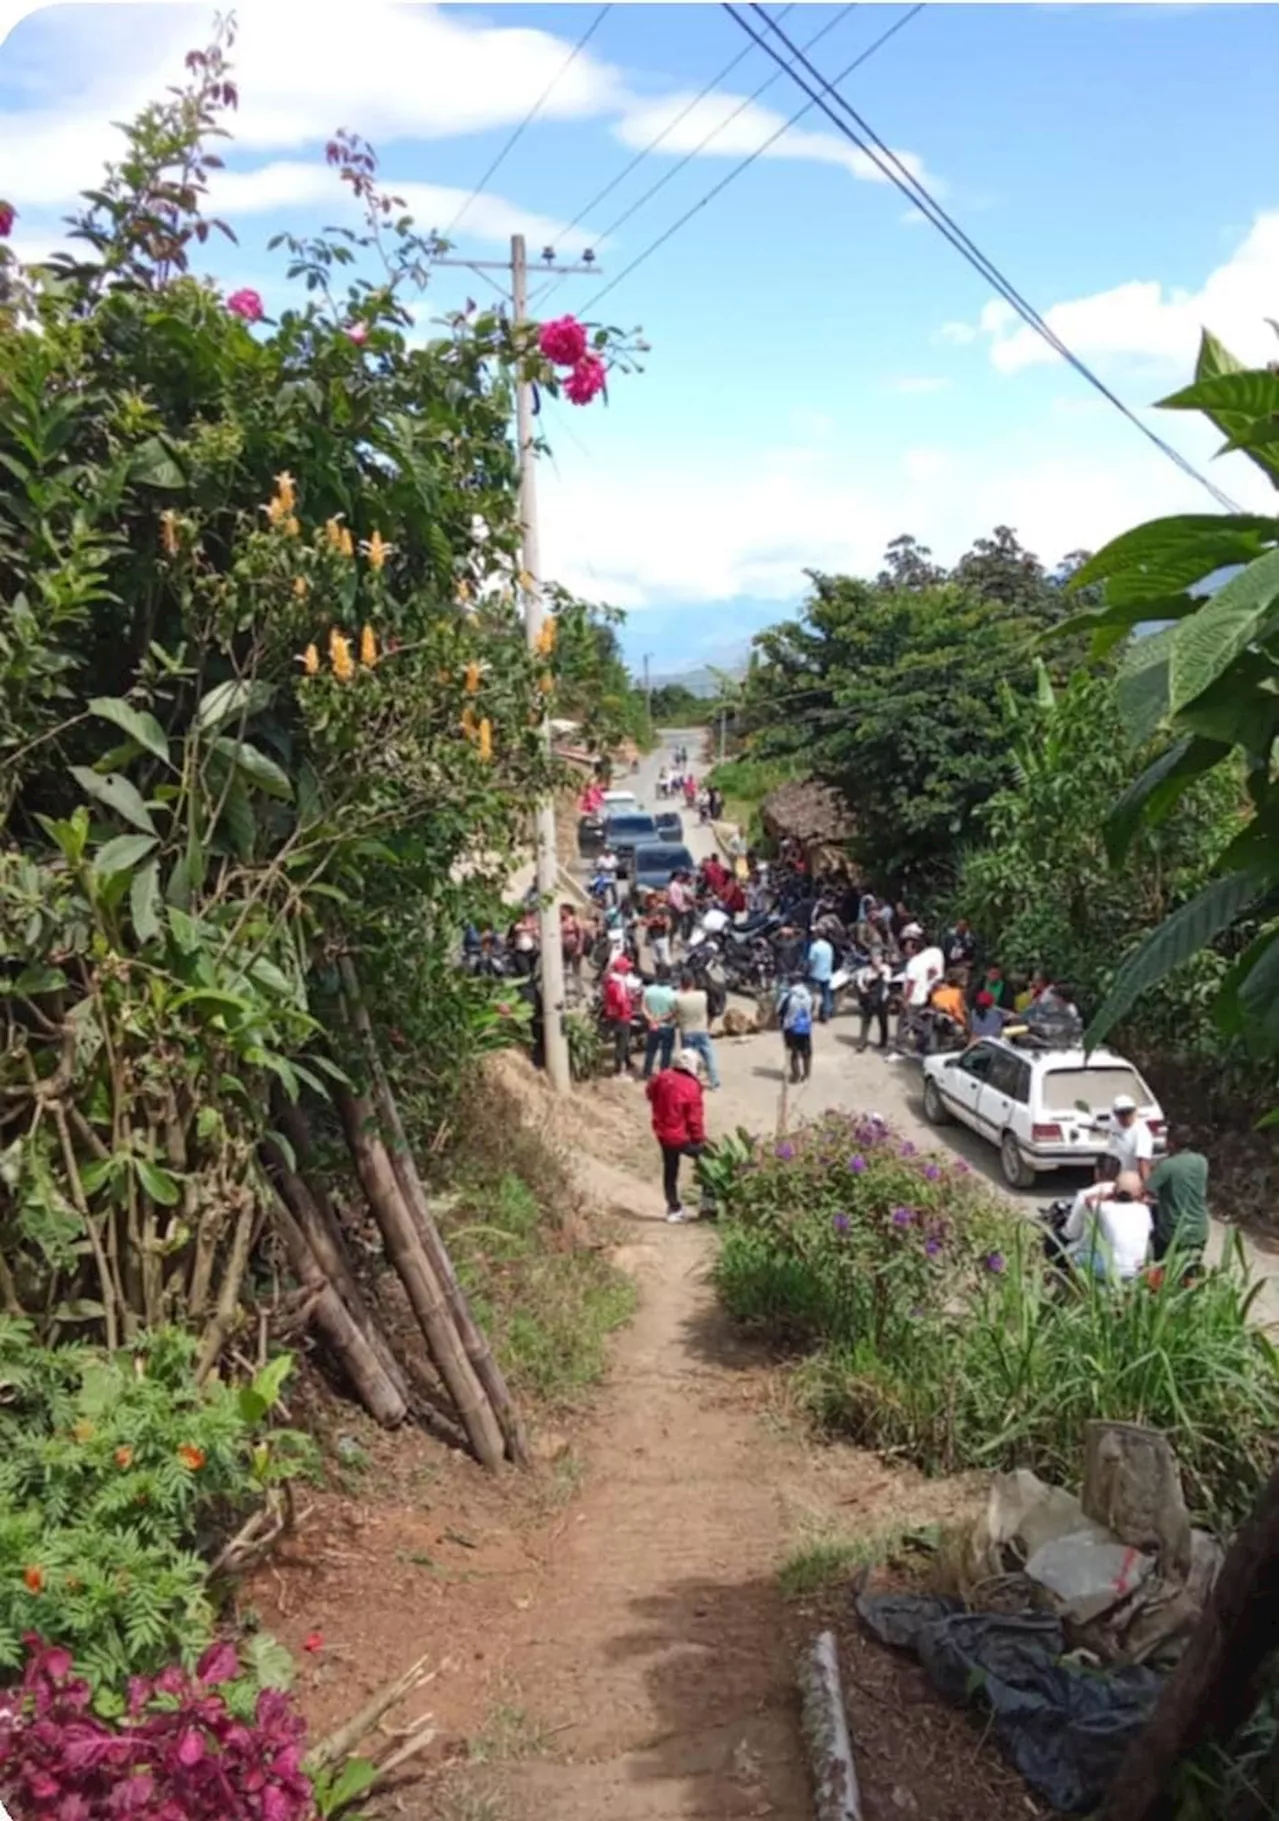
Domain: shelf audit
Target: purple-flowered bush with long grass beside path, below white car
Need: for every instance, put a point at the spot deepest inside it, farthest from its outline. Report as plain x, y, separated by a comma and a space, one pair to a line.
939, 1332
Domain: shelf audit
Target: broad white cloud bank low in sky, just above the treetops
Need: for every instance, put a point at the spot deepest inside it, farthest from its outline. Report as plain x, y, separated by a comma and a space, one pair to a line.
686, 531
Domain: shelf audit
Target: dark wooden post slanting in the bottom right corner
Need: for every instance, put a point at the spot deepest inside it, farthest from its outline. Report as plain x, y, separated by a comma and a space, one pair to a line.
1215, 1687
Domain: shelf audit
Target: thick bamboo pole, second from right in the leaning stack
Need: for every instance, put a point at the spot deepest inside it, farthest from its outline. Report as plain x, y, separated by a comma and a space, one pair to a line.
423, 1288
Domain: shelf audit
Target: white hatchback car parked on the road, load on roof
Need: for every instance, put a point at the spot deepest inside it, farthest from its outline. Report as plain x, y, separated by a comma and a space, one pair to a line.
1030, 1103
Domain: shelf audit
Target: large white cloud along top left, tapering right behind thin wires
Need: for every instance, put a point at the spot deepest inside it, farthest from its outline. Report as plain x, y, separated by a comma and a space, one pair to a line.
389, 72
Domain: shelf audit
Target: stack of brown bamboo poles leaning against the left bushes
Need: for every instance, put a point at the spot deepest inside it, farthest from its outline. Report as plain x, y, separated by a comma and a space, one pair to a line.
312, 1237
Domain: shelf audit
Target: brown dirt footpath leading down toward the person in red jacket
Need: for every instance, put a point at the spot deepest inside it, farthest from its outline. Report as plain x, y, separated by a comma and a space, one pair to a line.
656, 1658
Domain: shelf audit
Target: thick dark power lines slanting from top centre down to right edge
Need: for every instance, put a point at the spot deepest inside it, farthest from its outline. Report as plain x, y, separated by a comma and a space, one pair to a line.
917, 192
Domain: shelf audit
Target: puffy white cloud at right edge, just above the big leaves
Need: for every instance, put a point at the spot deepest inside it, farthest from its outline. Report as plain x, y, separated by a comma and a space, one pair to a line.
1146, 321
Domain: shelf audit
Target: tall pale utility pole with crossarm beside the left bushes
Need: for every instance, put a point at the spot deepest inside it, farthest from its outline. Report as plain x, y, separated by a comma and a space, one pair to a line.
553, 957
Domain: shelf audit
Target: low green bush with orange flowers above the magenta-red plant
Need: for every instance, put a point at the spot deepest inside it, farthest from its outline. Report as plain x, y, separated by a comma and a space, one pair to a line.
119, 1476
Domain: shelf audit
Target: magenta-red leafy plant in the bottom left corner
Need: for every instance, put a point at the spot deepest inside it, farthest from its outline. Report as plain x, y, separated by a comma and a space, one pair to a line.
178, 1755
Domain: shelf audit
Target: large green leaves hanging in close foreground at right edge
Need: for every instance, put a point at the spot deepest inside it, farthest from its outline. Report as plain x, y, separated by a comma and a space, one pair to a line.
1208, 689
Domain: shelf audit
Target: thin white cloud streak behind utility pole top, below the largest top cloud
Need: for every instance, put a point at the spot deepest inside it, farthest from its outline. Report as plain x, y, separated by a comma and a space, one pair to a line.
294, 183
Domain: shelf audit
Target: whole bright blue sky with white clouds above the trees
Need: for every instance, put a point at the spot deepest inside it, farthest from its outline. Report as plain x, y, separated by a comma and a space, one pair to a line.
826, 372
